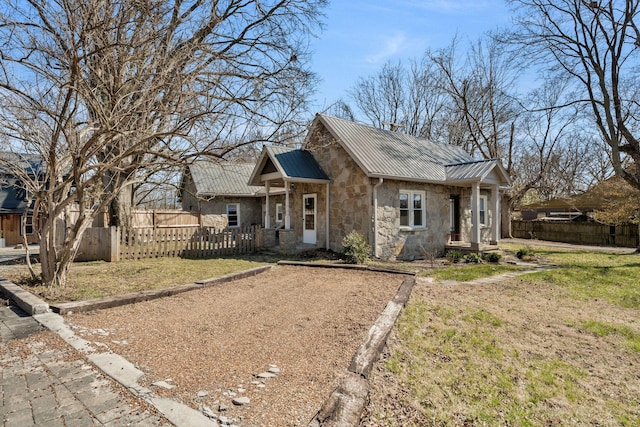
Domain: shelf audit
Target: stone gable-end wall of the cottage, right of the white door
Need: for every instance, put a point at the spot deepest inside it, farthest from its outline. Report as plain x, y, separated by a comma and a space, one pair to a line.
350, 190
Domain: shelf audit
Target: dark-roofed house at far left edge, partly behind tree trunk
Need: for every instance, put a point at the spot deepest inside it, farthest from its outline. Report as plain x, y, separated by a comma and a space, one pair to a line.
14, 198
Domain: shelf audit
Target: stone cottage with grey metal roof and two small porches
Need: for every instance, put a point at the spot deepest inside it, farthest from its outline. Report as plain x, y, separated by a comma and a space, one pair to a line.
408, 196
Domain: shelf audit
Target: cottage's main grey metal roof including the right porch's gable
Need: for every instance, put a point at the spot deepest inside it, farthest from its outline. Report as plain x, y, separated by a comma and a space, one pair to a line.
386, 154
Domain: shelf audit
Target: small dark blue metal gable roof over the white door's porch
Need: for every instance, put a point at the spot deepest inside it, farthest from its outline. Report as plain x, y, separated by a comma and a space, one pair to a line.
288, 164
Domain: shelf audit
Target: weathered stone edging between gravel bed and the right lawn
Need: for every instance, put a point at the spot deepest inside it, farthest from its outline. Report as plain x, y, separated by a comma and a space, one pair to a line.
345, 405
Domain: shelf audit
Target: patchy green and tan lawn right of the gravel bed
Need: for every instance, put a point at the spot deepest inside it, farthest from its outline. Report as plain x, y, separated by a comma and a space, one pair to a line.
560, 347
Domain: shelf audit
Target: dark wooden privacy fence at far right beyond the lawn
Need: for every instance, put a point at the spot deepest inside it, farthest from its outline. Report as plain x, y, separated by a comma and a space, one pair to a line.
584, 233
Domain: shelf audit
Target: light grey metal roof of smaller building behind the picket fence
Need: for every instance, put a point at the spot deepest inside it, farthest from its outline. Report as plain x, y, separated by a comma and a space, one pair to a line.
223, 178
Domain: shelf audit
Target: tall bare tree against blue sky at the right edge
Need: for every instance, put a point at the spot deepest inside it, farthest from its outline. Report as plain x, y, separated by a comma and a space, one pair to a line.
596, 45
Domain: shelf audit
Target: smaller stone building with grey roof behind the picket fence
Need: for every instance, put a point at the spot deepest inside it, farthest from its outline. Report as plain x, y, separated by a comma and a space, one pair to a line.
219, 191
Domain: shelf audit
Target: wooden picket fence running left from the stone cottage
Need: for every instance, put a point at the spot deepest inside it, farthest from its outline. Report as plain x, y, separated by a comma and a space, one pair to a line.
188, 242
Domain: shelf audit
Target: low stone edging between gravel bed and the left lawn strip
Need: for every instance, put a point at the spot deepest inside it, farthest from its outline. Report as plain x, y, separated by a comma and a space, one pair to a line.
118, 300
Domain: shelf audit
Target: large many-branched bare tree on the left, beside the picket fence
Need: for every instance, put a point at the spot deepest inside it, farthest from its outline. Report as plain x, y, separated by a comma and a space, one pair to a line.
103, 90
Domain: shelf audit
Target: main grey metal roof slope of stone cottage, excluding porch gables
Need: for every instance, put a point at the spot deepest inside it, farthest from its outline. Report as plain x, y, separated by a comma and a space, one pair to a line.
382, 153
